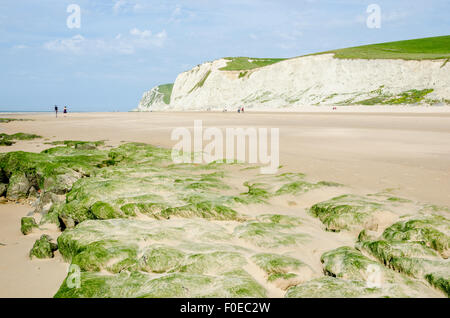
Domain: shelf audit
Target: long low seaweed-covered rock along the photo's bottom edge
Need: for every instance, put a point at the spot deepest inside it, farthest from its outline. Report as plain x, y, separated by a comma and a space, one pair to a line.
144, 285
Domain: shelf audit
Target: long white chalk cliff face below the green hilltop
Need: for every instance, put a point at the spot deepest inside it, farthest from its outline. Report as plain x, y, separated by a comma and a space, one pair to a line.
310, 80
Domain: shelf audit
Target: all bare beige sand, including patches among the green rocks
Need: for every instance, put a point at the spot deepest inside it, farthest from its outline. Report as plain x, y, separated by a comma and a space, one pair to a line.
369, 152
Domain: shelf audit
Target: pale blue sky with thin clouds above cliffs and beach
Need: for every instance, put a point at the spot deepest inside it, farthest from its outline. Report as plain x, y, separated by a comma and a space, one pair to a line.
123, 48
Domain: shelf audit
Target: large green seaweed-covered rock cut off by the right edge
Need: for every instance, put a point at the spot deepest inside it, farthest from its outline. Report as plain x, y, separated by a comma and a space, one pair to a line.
417, 247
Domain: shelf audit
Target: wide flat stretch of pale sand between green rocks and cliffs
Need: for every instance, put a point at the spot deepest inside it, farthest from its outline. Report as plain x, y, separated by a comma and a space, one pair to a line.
372, 151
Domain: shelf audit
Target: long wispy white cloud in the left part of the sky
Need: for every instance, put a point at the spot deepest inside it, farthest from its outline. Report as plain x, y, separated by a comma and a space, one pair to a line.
121, 44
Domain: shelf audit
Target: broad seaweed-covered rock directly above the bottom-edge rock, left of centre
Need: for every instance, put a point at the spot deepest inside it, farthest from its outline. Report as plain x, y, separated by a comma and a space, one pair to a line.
102, 244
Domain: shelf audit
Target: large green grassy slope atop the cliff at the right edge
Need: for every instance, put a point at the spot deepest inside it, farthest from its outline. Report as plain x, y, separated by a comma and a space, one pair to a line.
418, 49
